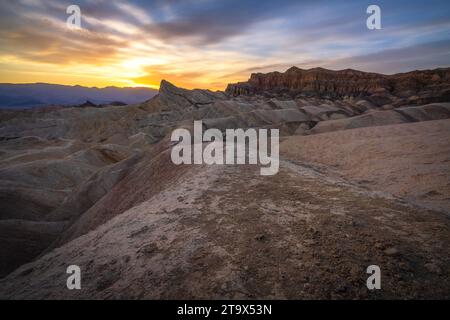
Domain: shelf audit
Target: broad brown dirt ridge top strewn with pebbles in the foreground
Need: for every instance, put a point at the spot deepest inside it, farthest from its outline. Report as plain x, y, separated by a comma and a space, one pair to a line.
227, 232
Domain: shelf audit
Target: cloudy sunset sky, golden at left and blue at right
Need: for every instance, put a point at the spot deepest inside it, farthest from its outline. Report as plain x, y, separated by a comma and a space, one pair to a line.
207, 43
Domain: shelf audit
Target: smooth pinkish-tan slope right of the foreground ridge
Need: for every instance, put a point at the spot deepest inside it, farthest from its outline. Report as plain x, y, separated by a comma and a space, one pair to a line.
410, 161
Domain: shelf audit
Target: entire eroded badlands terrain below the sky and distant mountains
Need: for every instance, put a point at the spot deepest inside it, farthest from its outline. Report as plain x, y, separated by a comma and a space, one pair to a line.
362, 181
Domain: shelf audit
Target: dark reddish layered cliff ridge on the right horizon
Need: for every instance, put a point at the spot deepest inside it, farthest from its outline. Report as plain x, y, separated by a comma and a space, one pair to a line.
432, 84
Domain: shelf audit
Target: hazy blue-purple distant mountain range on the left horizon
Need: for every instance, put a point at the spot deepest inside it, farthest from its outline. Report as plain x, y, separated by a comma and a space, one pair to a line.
43, 94
